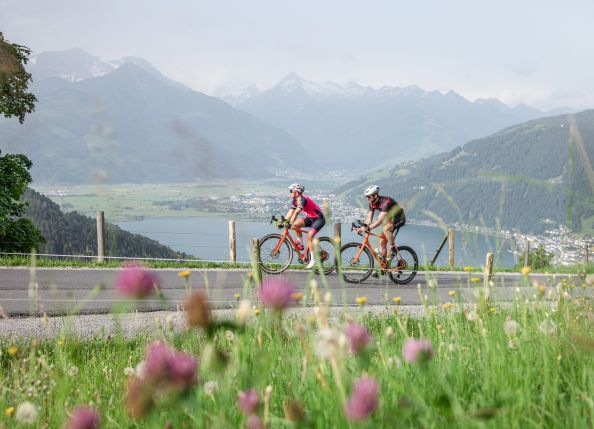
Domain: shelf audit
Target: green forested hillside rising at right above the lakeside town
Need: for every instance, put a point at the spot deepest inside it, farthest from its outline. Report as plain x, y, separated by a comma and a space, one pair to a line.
532, 177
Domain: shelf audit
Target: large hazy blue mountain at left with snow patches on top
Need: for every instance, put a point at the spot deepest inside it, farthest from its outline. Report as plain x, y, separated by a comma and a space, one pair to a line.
131, 124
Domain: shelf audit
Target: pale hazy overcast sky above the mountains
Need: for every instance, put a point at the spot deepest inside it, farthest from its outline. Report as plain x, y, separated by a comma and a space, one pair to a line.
521, 51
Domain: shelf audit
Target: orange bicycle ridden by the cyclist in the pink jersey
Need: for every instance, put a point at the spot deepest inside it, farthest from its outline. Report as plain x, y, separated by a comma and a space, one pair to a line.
277, 250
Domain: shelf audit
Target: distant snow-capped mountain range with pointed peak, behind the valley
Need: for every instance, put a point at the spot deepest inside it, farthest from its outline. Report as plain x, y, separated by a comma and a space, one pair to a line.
358, 127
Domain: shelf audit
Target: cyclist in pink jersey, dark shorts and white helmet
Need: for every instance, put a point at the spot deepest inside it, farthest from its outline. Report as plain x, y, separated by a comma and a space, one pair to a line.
314, 217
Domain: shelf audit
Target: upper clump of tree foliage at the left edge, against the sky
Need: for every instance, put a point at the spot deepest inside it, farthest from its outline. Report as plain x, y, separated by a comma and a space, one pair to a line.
14, 80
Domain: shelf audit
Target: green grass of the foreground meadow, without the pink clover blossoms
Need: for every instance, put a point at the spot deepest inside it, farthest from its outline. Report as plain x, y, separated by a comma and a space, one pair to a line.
478, 377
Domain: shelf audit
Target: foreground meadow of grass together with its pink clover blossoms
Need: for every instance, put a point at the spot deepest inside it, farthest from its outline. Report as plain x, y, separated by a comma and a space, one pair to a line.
527, 363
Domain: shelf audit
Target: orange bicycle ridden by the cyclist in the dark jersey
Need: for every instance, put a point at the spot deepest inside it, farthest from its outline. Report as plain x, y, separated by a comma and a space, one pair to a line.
357, 260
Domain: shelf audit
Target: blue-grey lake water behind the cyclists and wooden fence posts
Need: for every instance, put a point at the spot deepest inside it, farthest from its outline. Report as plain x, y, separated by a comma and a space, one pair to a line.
208, 238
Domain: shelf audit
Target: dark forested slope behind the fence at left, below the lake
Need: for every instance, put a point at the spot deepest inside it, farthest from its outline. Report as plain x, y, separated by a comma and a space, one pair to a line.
74, 234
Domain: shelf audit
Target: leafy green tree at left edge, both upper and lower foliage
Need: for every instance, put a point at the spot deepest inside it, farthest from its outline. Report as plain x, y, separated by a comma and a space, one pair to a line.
17, 234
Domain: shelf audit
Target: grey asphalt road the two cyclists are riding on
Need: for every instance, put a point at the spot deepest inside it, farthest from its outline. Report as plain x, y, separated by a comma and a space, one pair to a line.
58, 291
